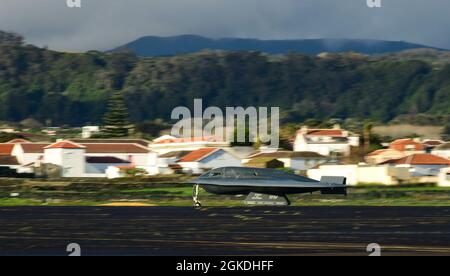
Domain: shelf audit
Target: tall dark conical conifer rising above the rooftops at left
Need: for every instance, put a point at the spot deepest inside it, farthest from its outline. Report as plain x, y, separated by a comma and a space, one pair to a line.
116, 118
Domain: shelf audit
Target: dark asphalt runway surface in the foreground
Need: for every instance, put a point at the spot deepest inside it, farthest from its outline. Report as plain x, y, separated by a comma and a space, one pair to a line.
185, 231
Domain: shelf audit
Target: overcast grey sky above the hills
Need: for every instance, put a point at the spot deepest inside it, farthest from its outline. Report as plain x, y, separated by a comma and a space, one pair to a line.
106, 24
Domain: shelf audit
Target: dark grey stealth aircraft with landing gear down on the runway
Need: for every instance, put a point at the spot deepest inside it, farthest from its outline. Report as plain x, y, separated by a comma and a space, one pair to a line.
264, 186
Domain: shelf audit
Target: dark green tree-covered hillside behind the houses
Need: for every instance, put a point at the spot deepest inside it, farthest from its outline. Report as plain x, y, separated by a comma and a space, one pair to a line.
69, 88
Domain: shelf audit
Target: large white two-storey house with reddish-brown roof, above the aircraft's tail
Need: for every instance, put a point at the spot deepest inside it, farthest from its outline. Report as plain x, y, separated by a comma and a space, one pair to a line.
328, 142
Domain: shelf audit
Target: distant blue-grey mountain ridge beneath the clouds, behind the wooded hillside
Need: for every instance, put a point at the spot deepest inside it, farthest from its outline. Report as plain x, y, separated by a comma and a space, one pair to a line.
148, 46
